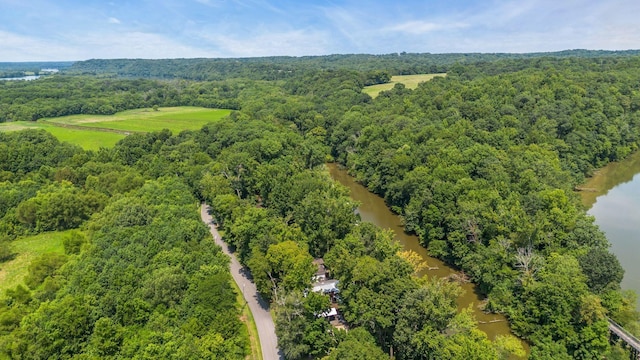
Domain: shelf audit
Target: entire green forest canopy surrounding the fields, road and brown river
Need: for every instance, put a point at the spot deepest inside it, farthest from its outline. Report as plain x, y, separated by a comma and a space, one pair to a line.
481, 165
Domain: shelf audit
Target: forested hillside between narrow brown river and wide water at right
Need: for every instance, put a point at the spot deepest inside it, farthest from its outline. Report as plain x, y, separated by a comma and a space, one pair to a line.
481, 165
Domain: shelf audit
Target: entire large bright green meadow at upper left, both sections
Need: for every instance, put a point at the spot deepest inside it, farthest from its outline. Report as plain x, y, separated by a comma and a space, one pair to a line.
92, 132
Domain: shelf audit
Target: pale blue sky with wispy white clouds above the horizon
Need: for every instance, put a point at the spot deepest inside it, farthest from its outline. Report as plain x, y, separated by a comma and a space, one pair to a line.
39, 30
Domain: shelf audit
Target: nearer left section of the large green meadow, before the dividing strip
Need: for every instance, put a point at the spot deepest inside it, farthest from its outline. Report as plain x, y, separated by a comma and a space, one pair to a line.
87, 139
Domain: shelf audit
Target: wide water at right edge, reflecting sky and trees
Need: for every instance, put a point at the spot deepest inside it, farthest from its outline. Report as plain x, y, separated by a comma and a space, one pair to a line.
612, 196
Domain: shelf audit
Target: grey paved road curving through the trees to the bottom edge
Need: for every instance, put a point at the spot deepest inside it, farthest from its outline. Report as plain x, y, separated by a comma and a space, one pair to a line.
259, 308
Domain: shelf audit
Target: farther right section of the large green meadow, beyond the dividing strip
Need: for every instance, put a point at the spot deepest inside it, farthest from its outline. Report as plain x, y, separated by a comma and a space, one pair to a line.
175, 119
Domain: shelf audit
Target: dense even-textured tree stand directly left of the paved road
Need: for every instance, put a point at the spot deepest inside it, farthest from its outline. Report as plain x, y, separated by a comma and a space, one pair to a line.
150, 284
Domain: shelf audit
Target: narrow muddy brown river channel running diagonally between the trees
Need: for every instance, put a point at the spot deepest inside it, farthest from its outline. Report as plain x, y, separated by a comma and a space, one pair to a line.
373, 209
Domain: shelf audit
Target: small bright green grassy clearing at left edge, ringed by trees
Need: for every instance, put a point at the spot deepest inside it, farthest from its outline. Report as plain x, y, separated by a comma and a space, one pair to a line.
13, 272
